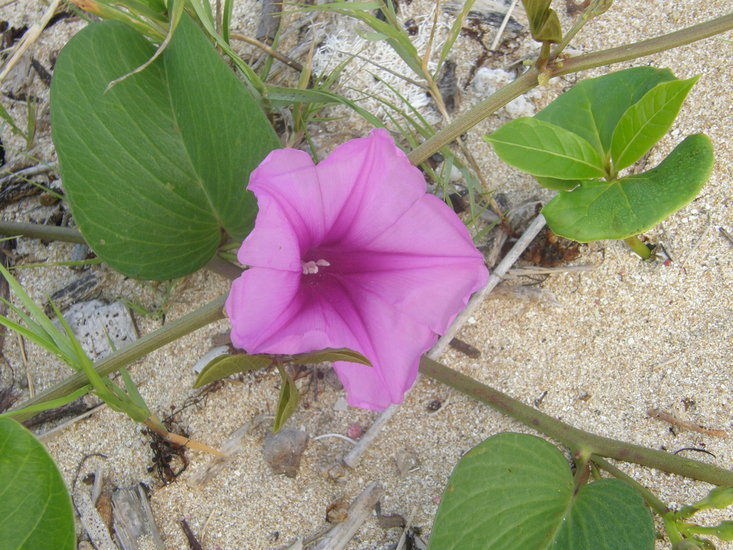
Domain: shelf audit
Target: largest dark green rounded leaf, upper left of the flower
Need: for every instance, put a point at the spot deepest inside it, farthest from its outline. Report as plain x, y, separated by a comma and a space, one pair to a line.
156, 167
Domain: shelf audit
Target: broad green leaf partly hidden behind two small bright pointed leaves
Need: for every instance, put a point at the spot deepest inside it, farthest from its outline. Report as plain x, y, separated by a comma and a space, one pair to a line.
593, 108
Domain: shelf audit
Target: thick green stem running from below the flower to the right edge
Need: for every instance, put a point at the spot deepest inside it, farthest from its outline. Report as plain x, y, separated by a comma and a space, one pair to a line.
576, 440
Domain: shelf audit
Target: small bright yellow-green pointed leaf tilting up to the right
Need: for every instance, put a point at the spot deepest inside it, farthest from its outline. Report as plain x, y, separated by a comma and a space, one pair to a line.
646, 121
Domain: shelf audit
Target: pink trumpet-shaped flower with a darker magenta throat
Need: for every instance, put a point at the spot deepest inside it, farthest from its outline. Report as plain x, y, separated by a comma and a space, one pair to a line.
352, 253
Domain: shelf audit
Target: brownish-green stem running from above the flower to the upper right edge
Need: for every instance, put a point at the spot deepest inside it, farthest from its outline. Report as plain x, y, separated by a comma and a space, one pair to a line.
529, 79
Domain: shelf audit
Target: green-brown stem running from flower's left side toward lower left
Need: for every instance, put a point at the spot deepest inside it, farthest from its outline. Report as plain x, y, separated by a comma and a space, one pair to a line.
166, 334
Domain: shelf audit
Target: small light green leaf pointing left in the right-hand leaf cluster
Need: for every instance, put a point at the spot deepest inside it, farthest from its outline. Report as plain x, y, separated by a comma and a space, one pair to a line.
544, 149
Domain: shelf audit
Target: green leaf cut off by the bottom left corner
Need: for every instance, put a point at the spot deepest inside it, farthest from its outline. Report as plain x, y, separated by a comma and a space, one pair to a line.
35, 508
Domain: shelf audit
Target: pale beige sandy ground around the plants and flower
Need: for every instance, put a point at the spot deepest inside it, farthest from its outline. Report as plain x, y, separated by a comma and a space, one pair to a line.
602, 347
